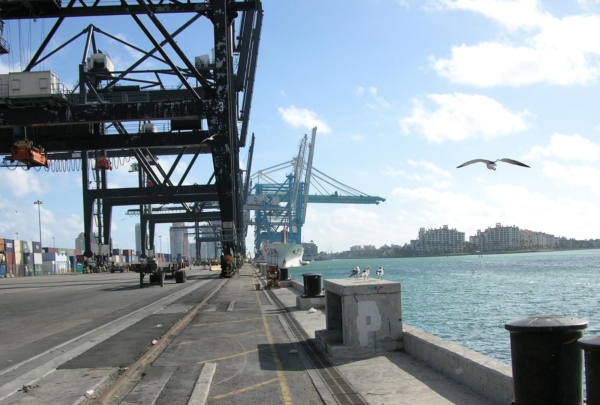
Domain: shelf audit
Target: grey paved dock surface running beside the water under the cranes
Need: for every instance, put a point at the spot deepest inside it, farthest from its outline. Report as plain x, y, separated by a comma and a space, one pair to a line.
223, 341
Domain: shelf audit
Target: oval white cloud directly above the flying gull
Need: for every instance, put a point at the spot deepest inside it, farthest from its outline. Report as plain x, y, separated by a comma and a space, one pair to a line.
462, 116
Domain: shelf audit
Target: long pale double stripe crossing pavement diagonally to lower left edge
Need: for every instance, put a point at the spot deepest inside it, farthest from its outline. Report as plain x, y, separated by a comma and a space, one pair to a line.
34, 375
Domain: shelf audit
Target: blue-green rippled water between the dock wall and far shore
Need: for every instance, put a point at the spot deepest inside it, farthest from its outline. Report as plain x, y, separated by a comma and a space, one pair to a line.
468, 299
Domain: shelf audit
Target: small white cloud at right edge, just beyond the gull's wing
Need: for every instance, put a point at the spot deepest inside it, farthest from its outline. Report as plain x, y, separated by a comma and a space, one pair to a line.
567, 147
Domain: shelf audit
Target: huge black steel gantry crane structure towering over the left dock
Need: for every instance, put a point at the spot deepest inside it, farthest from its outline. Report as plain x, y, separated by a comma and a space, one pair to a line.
136, 113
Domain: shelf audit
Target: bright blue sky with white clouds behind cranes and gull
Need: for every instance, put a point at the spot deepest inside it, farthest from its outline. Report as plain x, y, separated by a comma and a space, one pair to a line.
402, 92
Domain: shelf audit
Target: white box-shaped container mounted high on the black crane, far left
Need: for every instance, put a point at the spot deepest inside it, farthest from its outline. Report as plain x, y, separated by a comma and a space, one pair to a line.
33, 84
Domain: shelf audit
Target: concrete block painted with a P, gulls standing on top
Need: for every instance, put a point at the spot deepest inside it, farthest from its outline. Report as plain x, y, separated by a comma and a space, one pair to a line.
362, 317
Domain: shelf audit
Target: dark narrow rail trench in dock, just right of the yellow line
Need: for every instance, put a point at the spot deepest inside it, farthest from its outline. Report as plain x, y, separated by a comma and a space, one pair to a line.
341, 390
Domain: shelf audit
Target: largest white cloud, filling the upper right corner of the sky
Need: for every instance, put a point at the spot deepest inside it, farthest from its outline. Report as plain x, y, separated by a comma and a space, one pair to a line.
556, 51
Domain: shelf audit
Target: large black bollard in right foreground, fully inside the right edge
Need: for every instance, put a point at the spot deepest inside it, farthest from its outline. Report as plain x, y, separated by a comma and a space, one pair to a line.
547, 363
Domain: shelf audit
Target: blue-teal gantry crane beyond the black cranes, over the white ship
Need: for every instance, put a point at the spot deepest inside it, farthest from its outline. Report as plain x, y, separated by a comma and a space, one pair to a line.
280, 208
